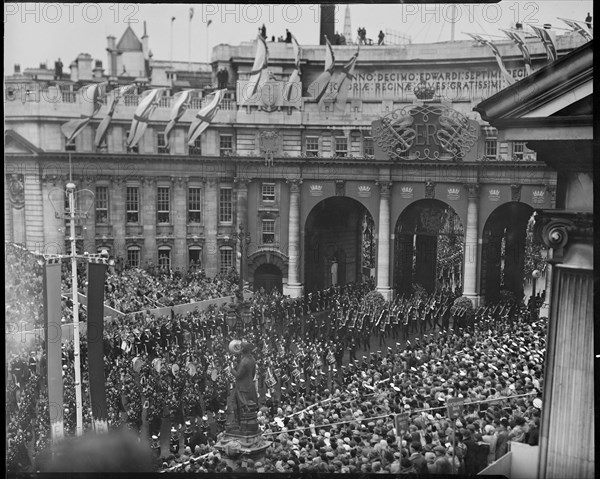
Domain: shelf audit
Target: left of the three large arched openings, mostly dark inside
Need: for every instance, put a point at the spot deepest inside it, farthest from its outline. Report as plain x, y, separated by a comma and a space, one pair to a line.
339, 246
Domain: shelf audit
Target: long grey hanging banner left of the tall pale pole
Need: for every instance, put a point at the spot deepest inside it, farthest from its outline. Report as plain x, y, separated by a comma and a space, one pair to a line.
52, 330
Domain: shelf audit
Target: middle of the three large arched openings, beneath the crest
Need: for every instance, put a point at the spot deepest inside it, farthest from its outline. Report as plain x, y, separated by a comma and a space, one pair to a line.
429, 247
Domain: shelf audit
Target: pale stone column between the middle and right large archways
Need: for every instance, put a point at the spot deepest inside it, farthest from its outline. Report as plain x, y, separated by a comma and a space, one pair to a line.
471, 243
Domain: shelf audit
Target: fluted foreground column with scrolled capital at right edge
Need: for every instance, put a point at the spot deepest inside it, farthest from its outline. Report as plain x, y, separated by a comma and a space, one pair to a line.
567, 429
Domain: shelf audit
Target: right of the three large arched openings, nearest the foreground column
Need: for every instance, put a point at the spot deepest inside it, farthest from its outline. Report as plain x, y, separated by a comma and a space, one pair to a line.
503, 250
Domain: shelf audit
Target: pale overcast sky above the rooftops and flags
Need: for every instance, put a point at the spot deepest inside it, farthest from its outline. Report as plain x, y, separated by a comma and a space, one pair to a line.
43, 32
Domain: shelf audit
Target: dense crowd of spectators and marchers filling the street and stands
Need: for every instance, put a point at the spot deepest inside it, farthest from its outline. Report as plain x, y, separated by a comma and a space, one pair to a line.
336, 368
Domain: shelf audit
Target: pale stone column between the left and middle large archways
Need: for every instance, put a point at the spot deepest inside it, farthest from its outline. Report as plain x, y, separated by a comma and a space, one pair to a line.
383, 240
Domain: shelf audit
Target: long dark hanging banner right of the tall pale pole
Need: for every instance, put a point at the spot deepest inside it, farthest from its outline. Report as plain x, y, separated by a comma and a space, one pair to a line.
95, 334
